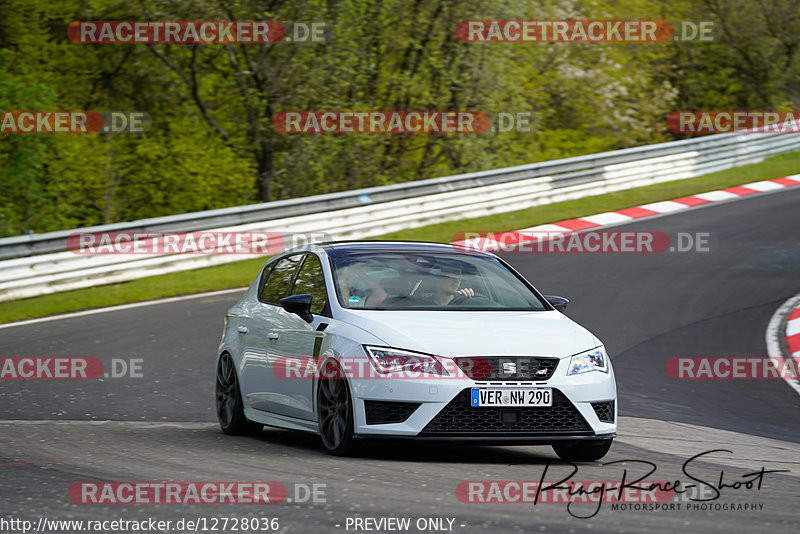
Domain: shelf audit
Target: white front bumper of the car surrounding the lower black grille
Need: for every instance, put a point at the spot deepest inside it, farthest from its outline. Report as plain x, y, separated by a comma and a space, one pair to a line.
584, 407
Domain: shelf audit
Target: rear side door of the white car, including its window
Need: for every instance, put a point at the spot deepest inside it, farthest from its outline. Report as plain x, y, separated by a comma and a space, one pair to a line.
255, 329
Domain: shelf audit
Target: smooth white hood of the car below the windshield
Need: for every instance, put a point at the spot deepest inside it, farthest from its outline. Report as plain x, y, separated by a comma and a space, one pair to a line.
476, 333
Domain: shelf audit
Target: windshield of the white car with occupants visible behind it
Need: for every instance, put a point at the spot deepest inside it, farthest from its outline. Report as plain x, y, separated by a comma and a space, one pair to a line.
440, 281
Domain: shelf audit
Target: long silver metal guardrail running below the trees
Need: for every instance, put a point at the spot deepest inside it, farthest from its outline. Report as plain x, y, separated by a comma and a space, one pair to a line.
40, 263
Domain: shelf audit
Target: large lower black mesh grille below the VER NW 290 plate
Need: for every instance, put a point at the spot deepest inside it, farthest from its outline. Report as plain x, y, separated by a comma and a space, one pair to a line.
460, 418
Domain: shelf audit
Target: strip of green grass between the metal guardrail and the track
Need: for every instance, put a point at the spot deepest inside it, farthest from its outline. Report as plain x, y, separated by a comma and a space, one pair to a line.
241, 273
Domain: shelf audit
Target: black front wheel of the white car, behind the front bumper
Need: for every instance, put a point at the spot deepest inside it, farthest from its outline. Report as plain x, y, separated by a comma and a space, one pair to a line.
335, 411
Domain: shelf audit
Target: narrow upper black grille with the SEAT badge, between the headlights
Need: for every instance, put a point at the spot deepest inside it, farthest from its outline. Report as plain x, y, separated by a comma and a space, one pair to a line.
507, 367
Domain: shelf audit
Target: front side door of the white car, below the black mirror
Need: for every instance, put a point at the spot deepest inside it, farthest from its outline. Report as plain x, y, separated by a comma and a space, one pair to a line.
294, 345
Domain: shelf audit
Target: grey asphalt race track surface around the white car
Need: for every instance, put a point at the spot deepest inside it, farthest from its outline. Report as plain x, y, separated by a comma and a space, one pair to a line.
646, 307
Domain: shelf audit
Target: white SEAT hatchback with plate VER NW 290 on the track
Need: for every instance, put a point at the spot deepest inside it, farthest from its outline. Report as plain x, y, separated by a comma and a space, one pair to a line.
411, 340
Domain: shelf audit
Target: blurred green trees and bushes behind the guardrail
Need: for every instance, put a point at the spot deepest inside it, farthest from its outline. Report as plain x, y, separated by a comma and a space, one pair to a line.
212, 143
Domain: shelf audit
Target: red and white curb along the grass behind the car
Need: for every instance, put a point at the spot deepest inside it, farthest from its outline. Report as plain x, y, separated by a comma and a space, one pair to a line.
498, 241
